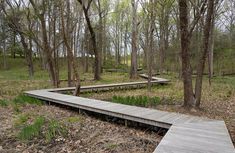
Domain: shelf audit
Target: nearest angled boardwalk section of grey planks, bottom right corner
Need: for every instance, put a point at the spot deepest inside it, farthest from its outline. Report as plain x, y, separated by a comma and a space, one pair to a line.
206, 137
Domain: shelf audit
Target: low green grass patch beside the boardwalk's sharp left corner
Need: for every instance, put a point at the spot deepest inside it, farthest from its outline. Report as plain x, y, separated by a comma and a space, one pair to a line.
23, 99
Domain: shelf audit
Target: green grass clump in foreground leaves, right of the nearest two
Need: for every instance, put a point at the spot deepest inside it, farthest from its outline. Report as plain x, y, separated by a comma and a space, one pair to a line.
54, 130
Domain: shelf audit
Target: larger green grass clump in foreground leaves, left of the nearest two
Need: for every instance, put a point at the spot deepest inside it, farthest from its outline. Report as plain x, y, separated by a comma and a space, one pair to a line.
33, 130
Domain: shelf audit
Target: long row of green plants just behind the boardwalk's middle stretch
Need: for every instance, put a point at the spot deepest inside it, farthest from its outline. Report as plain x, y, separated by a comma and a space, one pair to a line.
143, 101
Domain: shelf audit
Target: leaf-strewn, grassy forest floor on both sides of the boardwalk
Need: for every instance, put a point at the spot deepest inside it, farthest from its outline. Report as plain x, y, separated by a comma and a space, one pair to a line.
86, 134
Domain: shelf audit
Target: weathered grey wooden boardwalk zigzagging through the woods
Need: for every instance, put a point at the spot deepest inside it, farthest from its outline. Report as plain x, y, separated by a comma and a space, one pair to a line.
186, 134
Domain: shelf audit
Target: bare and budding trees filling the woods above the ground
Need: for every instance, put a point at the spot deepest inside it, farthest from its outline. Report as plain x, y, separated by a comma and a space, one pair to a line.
185, 37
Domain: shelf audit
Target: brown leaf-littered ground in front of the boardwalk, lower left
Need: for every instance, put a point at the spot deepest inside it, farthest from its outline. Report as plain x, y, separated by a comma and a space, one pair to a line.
84, 134
